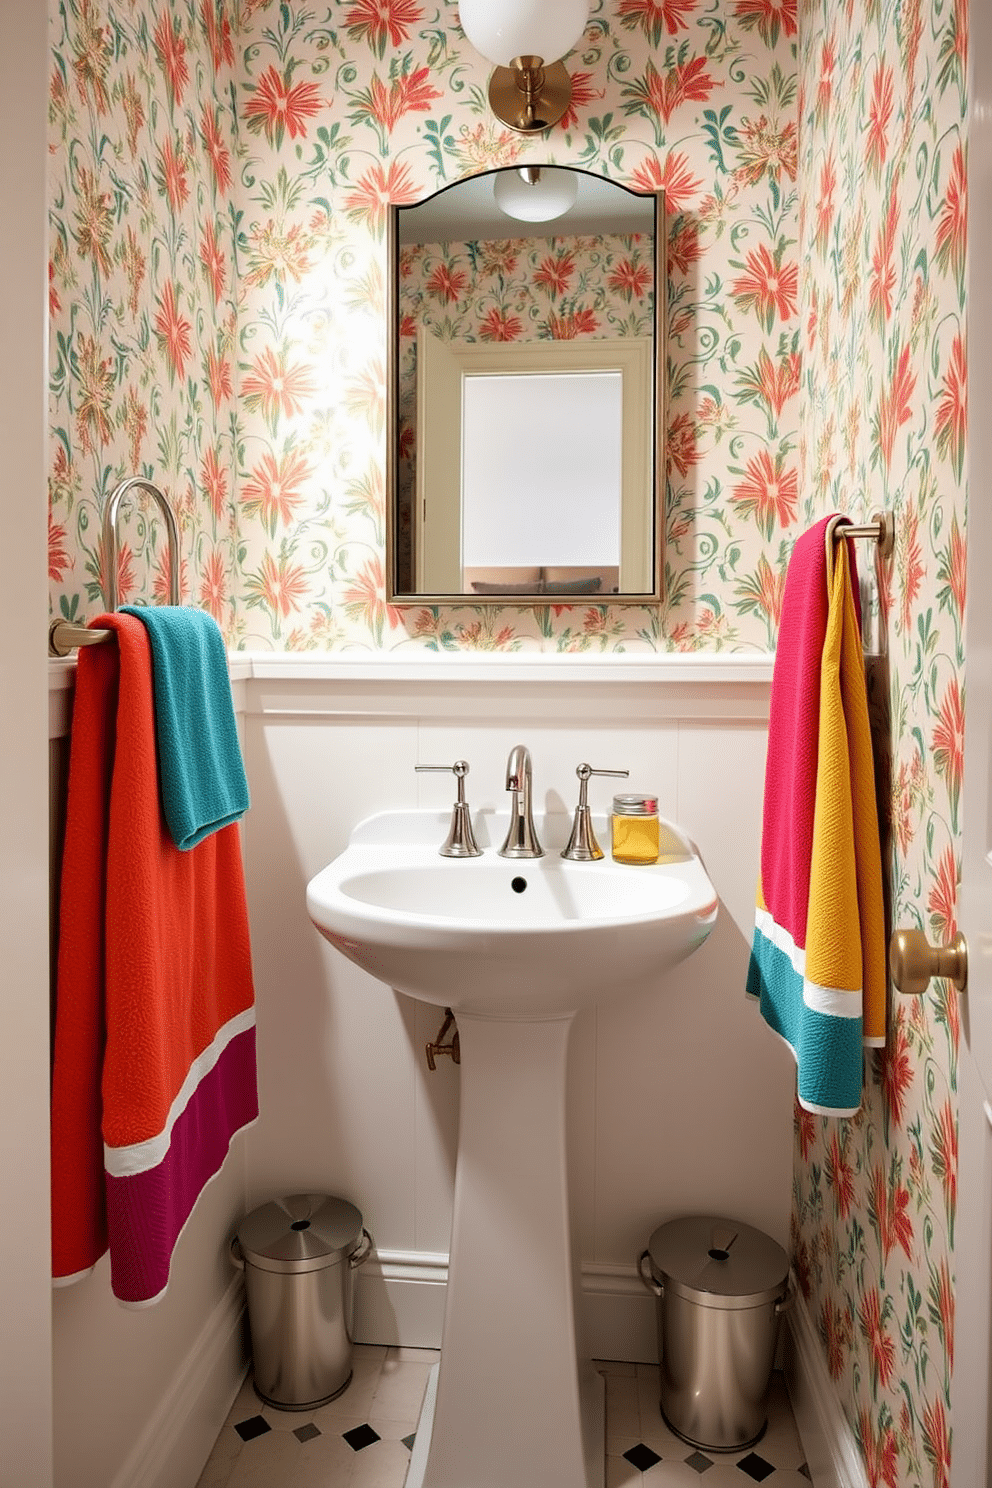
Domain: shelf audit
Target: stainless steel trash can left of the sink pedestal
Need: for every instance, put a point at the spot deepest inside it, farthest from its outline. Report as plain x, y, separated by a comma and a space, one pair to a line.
300, 1255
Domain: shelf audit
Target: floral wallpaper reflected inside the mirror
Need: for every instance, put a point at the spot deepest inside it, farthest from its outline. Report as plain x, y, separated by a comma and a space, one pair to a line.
515, 289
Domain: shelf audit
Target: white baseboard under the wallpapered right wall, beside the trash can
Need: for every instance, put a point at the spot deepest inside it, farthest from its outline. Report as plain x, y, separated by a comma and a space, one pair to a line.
831, 1446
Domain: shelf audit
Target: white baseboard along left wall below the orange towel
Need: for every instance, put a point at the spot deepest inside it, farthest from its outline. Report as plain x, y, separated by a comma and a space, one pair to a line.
181, 1435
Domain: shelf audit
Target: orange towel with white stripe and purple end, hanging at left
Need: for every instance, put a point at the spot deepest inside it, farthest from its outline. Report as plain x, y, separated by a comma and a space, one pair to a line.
155, 1020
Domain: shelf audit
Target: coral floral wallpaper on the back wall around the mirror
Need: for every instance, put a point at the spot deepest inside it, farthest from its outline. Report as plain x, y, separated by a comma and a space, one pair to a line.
352, 106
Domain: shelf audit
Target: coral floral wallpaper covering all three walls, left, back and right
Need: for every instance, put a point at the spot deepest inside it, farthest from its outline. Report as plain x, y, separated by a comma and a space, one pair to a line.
218, 197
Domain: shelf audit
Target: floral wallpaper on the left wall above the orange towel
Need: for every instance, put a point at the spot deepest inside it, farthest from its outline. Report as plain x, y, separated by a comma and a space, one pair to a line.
144, 315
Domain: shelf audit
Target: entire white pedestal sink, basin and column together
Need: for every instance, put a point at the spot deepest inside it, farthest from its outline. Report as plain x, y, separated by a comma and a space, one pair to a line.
515, 949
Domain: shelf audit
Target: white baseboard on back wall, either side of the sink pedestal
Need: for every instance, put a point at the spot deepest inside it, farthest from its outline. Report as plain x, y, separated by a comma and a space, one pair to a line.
401, 1301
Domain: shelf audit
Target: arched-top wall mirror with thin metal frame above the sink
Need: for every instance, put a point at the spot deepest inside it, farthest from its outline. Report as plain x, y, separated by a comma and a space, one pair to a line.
526, 361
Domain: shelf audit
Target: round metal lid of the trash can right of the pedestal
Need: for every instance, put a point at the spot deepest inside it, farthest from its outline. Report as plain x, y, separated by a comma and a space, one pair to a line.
719, 1263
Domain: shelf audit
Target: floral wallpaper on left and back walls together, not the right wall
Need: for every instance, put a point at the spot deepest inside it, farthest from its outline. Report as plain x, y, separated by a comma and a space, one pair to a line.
218, 298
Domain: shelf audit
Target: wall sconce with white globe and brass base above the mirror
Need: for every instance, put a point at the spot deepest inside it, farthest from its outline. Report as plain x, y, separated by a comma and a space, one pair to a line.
530, 89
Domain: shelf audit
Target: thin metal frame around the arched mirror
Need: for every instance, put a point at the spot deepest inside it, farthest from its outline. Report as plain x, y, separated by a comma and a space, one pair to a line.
515, 599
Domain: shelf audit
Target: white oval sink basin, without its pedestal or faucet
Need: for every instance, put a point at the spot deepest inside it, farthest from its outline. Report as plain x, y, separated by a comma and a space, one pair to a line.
508, 938
